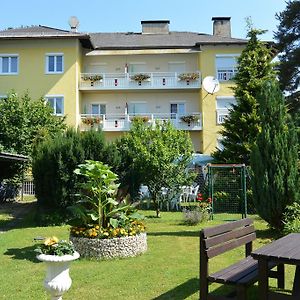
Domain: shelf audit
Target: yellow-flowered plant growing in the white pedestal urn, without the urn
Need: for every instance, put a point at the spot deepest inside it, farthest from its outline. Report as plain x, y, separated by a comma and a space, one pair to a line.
54, 246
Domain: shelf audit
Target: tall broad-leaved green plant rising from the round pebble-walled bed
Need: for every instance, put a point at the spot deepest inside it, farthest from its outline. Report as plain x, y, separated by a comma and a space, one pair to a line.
97, 199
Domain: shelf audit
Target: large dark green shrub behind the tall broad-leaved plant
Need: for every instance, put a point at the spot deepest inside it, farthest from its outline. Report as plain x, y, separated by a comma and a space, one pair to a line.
56, 159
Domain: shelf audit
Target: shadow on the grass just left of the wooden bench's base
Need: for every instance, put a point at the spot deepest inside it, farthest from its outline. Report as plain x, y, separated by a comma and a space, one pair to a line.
182, 291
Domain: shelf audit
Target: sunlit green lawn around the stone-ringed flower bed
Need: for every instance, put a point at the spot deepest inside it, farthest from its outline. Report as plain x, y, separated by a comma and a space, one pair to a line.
168, 270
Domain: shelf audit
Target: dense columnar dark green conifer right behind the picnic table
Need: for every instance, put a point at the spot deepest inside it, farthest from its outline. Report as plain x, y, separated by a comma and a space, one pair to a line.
274, 158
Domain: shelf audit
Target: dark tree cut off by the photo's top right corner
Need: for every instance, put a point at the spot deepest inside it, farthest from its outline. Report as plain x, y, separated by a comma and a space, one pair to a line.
288, 44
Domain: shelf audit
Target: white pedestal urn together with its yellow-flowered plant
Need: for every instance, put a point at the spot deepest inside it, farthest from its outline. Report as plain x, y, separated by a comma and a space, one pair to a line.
57, 254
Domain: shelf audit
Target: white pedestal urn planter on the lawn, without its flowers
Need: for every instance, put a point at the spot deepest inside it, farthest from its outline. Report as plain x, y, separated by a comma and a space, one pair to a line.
57, 279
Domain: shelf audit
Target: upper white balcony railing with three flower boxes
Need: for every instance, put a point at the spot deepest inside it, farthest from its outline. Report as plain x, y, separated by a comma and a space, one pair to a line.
156, 80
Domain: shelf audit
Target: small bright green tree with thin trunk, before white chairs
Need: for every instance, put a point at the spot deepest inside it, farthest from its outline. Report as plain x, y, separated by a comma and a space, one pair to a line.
156, 156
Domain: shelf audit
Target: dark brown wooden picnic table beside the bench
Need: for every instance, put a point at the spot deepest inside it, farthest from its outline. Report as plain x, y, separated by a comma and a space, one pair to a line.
285, 250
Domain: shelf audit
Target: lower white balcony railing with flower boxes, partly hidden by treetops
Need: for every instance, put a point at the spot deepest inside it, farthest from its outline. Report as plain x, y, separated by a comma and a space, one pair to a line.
123, 122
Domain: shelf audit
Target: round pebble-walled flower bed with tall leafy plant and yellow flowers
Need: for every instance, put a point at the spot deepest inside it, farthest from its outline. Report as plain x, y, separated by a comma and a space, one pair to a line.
102, 227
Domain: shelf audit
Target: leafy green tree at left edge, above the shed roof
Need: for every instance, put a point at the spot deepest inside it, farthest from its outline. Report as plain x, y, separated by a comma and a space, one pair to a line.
24, 123
